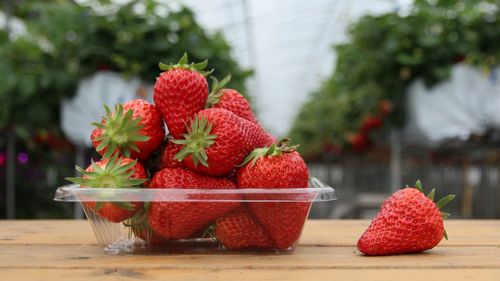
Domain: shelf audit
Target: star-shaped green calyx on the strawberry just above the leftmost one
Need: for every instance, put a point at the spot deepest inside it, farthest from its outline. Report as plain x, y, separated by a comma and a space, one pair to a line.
120, 132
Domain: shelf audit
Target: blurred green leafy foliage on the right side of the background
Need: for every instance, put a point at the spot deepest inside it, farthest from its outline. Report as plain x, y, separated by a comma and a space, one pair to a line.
384, 55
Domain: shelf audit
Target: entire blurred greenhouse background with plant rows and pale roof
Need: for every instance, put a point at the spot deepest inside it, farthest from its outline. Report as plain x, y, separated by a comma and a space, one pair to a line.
378, 93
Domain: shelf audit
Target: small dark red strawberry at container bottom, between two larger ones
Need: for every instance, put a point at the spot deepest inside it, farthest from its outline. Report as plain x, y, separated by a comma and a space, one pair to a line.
240, 229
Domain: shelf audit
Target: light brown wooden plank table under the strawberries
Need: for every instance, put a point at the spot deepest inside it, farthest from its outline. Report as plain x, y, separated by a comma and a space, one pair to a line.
67, 250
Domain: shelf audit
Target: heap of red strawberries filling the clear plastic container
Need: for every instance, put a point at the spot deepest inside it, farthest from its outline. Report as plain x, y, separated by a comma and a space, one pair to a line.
214, 142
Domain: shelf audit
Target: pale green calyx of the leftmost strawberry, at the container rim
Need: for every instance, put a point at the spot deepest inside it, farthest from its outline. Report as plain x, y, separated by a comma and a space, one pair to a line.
112, 175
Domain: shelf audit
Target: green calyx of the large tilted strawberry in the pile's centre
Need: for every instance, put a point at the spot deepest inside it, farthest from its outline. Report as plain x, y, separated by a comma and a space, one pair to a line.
196, 140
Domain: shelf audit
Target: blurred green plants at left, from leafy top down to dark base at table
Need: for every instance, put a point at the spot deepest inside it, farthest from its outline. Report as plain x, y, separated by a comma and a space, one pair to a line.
65, 42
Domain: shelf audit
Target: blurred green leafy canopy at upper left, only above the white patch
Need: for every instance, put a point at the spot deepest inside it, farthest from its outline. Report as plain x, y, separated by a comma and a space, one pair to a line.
66, 42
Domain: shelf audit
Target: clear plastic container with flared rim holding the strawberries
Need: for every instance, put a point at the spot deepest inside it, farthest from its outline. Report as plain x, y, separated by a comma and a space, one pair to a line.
173, 220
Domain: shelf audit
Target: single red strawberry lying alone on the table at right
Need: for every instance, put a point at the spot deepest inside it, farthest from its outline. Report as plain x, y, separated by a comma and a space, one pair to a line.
407, 222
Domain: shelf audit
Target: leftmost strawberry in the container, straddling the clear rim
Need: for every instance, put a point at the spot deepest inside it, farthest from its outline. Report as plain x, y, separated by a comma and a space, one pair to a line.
113, 172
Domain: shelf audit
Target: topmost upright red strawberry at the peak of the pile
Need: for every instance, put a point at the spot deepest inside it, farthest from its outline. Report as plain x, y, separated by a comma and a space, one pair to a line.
179, 92
